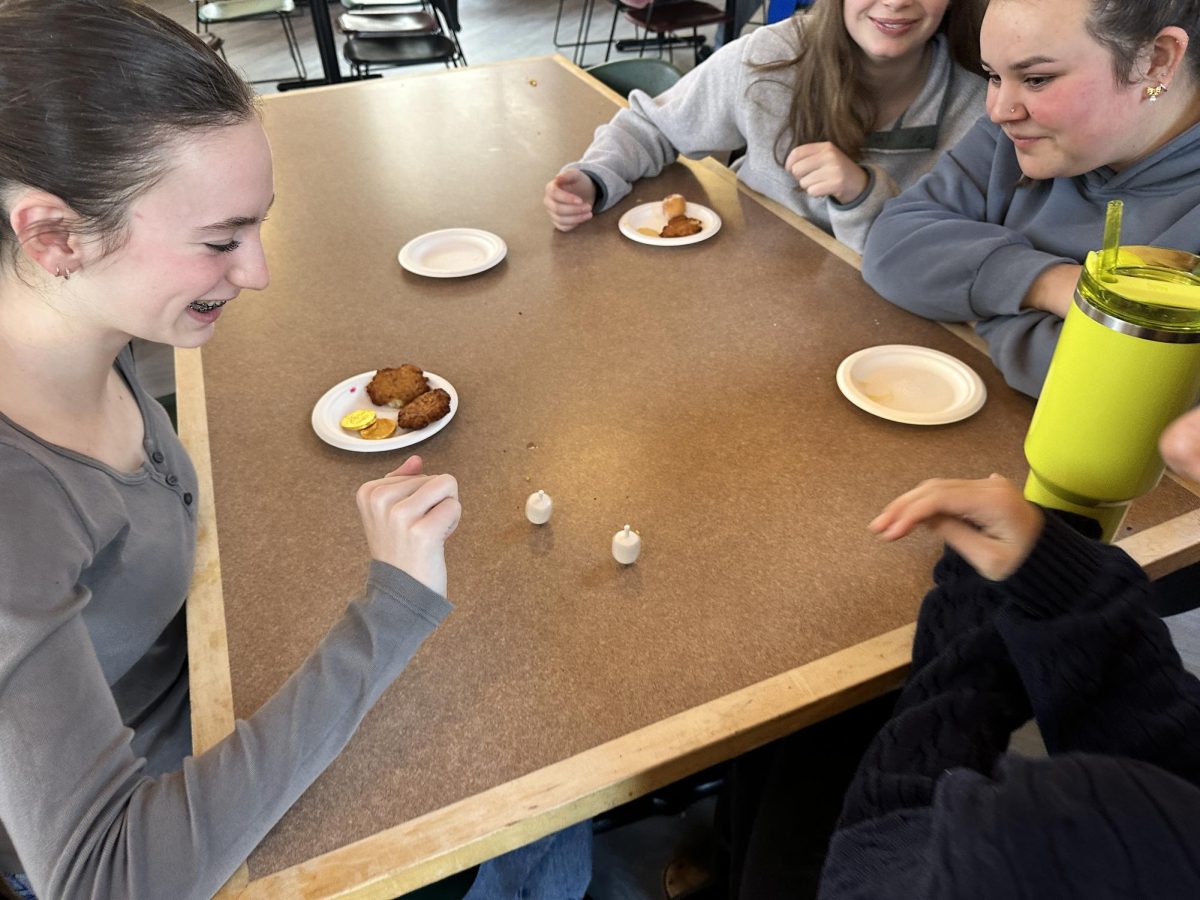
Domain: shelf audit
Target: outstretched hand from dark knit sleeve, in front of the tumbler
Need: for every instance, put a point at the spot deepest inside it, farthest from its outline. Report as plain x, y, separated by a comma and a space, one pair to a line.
988, 521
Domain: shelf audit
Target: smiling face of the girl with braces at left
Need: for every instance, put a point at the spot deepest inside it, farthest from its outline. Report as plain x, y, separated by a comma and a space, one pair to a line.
194, 241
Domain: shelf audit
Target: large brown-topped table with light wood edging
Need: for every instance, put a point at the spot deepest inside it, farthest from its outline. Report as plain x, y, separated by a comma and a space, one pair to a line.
688, 392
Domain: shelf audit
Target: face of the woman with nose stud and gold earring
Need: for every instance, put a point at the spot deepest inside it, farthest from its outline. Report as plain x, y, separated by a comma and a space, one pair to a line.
1052, 88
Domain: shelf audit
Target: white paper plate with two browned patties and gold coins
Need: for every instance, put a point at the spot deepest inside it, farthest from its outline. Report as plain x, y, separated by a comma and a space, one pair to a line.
385, 410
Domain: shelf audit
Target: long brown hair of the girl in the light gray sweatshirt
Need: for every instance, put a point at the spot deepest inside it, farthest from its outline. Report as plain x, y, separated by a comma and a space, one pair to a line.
831, 101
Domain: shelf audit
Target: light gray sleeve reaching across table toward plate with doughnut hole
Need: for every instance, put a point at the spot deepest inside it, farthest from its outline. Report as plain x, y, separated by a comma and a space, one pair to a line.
697, 117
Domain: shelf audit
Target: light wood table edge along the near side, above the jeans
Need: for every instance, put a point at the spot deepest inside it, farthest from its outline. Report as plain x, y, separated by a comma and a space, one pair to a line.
477, 829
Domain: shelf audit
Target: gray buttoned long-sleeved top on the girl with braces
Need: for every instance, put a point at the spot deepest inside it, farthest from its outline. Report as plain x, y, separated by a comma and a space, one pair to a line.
99, 794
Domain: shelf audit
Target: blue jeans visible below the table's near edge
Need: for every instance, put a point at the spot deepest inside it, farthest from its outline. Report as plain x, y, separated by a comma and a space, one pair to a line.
556, 868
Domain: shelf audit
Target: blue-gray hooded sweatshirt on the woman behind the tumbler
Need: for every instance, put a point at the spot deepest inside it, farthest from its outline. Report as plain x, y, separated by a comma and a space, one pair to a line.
965, 243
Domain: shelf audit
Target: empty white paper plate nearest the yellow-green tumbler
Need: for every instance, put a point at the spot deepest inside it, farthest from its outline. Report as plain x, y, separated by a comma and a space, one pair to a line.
915, 386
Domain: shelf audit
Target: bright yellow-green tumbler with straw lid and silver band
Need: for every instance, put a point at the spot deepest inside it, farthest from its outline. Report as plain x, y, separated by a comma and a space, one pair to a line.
1127, 364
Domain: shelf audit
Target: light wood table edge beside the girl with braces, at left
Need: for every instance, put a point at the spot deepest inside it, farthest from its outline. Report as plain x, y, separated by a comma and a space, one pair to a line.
208, 651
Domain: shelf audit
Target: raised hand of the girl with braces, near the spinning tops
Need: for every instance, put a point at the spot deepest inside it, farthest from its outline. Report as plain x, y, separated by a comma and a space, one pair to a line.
407, 518
